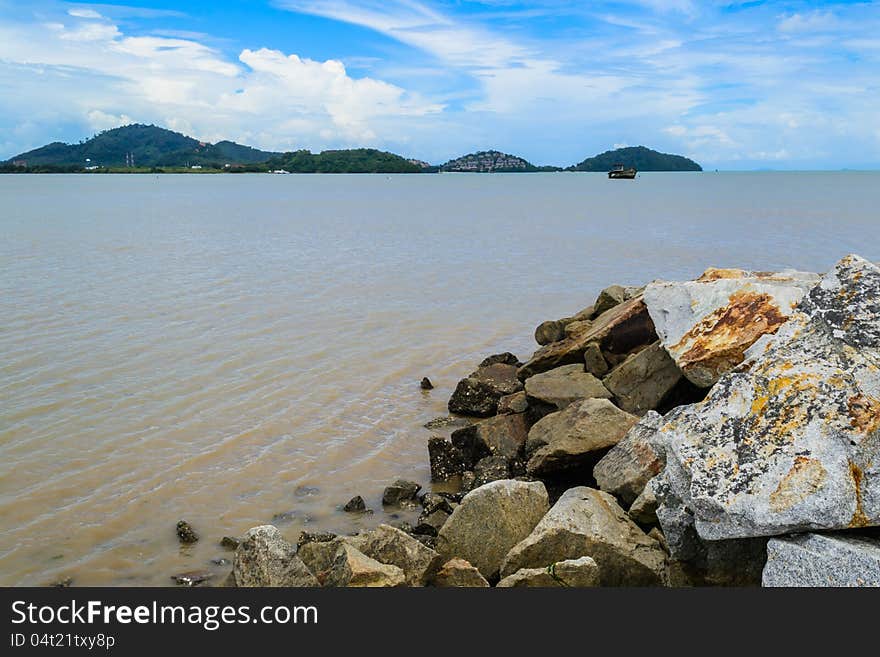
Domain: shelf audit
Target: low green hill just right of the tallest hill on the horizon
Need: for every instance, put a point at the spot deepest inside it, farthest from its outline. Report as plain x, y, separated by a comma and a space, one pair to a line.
356, 160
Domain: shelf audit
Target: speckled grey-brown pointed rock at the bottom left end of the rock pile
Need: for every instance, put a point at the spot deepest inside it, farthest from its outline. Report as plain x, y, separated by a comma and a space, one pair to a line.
264, 558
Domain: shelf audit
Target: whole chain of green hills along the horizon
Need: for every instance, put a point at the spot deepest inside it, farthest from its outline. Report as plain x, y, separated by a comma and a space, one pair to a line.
138, 147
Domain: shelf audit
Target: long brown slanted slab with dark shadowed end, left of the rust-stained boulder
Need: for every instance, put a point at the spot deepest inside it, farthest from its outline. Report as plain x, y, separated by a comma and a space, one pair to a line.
616, 331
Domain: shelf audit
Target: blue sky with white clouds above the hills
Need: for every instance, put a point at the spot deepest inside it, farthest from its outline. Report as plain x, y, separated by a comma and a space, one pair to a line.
733, 85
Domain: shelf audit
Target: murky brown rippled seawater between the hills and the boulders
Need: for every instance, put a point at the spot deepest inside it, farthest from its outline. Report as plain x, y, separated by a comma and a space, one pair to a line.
237, 350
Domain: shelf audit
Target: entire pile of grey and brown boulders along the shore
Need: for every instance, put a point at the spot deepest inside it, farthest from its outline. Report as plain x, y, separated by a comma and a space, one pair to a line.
719, 431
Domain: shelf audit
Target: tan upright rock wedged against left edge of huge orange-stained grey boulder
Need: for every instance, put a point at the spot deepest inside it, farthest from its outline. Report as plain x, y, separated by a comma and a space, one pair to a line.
630, 464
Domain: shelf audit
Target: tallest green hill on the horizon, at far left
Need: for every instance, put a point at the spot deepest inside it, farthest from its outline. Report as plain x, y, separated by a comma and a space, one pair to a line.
146, 146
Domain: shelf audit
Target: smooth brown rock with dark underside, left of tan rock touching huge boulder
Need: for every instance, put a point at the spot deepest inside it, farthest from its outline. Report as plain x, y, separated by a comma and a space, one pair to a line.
572, 437
